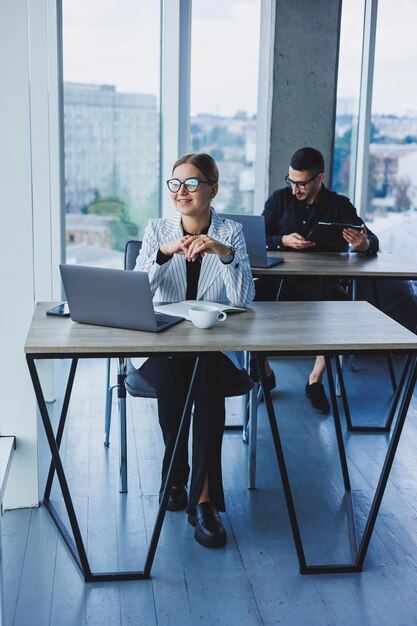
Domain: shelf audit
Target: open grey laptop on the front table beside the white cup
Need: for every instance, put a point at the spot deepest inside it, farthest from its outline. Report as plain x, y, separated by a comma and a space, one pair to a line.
109, 297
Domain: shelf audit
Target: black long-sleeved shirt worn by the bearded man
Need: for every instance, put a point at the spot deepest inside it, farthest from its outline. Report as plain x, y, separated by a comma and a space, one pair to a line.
284, 214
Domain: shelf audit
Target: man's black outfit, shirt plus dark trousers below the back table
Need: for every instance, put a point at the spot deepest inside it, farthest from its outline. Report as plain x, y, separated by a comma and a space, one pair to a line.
284, 215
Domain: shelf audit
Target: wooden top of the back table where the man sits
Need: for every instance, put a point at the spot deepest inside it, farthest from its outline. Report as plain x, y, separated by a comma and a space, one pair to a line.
352, 264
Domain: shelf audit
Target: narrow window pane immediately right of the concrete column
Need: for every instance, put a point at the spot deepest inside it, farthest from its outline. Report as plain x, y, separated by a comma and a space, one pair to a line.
348, 88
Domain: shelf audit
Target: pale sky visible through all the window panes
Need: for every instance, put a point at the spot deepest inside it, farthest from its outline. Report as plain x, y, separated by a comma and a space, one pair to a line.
121, 48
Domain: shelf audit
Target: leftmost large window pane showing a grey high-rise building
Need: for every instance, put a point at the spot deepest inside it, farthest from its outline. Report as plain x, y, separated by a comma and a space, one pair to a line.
111, 63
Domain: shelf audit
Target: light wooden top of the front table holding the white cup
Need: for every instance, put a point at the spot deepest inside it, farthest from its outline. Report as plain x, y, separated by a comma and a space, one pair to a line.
281, 327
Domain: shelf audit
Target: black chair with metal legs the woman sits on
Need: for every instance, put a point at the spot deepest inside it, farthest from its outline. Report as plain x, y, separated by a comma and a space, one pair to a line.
138, 387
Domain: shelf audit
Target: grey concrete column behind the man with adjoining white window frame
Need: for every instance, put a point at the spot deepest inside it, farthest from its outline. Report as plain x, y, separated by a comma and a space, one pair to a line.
297, 90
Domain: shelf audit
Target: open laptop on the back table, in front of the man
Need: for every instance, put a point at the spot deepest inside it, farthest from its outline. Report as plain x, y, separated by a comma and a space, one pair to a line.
255, 237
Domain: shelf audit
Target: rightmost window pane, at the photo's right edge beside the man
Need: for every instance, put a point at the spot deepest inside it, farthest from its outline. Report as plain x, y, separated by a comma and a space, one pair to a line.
392, 187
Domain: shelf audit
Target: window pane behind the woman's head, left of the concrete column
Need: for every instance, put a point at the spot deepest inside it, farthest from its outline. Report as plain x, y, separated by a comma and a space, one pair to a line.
224, 86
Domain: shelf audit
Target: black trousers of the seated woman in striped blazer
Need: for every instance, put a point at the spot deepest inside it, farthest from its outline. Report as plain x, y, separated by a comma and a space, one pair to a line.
170, 377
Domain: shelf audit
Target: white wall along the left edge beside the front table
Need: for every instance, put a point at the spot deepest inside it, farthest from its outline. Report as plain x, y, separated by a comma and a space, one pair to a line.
30, 216
